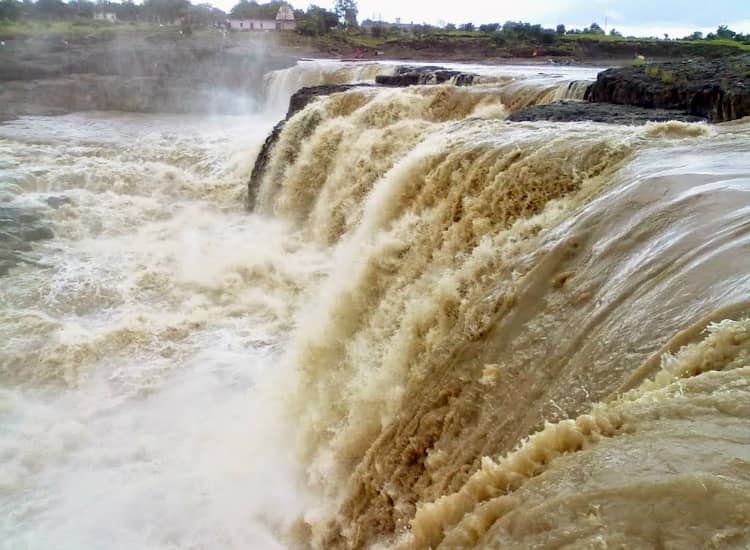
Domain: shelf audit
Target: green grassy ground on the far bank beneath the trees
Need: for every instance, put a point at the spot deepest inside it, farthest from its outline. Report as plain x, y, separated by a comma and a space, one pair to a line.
449, 44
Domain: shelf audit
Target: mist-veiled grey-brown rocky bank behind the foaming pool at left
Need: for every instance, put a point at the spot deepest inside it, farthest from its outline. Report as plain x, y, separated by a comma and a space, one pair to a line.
136, 73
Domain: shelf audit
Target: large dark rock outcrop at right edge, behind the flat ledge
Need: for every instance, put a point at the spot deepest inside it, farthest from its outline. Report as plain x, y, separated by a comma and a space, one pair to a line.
716, 89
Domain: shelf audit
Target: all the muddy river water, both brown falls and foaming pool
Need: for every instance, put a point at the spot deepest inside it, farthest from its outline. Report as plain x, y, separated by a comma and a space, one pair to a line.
436, 328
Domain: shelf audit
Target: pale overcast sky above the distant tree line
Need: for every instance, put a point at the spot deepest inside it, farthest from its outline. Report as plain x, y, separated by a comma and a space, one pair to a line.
638, 17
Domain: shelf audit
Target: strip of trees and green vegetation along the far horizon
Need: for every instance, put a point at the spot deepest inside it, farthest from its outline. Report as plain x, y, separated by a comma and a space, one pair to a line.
338, 30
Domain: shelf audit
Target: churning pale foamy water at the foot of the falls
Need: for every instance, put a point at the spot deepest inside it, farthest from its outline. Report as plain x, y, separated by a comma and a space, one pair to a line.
136, 343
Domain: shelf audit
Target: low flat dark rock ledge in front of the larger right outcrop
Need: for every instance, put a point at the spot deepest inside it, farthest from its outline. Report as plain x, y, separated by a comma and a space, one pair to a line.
572, 111
